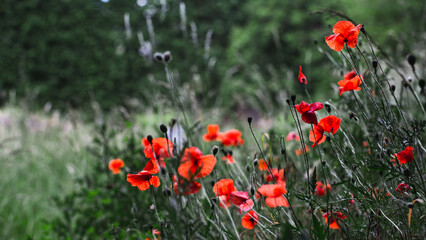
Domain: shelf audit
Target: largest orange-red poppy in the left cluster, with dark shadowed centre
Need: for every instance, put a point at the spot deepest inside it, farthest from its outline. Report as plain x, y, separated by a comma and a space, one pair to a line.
195, 165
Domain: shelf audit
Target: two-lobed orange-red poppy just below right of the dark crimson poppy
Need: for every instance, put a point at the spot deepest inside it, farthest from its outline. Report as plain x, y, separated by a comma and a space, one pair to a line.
328, 124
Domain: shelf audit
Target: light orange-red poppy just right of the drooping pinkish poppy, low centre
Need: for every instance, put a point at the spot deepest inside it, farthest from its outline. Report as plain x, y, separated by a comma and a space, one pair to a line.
274, 194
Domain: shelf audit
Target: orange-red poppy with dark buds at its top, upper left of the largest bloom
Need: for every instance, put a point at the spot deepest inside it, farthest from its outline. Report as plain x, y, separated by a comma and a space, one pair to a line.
160, 149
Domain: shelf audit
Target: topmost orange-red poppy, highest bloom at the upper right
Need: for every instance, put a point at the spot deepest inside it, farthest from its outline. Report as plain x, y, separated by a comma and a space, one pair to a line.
344, 32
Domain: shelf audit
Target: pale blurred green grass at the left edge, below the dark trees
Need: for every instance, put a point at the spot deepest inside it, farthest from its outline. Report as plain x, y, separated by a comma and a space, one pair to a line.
40, 157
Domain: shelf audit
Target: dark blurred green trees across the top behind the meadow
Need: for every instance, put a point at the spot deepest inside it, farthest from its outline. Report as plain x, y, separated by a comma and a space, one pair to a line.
231, 54
